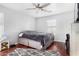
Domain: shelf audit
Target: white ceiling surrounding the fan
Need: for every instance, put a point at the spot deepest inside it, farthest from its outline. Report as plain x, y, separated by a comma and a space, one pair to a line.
54, 7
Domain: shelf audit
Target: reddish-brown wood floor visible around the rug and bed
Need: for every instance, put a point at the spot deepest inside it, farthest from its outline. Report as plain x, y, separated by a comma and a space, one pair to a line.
56, 46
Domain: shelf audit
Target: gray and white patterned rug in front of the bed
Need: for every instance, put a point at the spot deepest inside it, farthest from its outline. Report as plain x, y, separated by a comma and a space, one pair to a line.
32, 52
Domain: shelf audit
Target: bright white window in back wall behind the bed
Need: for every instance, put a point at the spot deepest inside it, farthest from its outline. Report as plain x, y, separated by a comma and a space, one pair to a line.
51, 24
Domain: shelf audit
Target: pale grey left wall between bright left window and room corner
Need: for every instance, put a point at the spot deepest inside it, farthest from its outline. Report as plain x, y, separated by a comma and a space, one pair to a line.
15, 22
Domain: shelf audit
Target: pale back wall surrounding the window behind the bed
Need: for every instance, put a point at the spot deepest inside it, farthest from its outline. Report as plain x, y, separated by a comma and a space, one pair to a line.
63, 24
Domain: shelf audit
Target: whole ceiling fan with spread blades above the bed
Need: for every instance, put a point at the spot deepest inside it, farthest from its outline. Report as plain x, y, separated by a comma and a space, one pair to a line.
40, 6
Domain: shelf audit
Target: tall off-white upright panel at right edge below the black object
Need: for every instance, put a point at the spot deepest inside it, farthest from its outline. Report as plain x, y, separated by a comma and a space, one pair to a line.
74, 41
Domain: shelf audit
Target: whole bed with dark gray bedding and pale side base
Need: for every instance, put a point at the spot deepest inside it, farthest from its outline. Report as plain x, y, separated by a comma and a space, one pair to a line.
34, 39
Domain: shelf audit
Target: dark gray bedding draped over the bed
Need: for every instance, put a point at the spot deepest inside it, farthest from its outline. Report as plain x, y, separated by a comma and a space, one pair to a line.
44, 38
